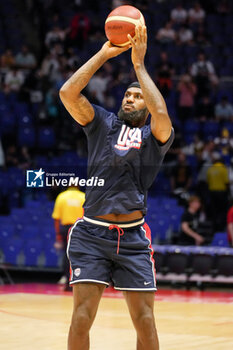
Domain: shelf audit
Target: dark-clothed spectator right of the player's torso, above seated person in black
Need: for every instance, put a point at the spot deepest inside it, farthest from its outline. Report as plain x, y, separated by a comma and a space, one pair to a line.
181, 178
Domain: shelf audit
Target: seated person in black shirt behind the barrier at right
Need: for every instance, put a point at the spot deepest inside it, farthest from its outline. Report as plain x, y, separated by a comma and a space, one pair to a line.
190, 222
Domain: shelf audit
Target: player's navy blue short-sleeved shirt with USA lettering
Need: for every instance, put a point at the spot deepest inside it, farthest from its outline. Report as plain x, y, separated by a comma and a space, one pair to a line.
127, 158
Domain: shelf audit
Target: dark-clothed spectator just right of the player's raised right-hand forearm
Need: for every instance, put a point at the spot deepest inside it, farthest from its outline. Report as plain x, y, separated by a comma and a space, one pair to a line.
164, 71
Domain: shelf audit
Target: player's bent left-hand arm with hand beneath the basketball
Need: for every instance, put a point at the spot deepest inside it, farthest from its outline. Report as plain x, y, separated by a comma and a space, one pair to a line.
70, 93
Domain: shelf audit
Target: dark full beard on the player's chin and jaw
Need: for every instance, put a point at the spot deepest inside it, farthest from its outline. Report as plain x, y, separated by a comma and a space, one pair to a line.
133, 118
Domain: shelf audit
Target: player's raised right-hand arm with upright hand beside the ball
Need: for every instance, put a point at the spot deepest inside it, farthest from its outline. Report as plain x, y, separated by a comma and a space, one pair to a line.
160, 121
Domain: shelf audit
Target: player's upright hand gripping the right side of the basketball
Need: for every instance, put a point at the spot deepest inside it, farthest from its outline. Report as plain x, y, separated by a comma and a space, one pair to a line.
139, 45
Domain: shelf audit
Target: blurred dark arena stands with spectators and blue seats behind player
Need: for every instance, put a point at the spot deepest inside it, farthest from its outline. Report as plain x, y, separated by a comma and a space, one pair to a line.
190, 45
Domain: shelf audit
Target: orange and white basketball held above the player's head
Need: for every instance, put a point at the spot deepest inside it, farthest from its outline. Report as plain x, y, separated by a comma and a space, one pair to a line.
121, 22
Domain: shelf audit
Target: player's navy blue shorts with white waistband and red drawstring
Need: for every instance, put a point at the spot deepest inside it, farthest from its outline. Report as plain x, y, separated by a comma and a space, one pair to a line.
102, 252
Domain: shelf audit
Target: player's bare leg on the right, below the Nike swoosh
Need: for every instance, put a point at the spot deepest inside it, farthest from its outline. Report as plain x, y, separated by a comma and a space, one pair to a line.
141, 308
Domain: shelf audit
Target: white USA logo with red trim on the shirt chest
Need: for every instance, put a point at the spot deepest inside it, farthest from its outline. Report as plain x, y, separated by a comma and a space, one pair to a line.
129, 138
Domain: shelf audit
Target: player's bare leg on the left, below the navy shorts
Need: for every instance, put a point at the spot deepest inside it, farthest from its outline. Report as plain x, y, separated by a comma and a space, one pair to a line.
86, 298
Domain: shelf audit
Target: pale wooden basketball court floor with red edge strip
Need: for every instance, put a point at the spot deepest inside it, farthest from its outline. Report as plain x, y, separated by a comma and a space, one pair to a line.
37, 316
